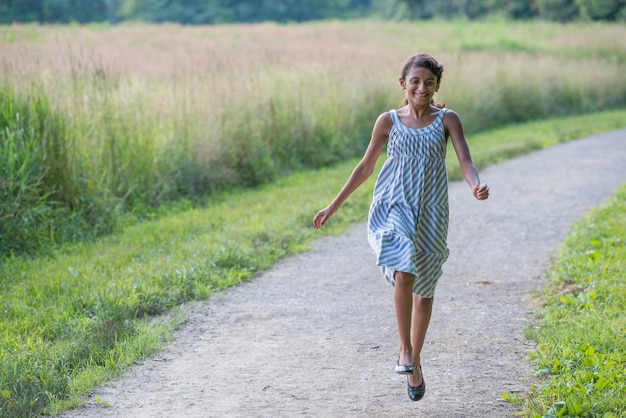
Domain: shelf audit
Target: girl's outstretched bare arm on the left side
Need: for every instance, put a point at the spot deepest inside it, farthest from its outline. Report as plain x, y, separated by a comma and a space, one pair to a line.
362, 171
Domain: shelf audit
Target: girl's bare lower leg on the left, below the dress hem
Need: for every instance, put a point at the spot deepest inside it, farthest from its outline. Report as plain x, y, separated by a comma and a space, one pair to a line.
403, 300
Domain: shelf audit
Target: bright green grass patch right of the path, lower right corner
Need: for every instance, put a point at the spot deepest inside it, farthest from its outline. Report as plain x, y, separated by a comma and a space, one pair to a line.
580, 331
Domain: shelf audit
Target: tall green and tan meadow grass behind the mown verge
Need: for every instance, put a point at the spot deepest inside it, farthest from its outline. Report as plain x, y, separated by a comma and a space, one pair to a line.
100, 125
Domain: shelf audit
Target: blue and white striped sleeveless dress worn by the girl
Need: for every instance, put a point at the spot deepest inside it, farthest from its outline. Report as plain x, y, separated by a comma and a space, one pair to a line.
408, 217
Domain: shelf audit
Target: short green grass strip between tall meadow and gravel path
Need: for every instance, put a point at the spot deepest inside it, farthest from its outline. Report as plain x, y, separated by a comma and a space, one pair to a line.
76, 317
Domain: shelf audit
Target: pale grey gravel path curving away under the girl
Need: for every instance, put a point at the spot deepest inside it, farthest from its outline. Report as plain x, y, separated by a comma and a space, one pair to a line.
316, 335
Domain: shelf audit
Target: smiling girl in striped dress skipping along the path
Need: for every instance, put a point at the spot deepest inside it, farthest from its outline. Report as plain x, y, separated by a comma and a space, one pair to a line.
408, 217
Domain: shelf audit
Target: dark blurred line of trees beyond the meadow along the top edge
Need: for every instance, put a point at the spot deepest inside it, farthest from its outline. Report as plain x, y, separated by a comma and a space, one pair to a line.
250, 11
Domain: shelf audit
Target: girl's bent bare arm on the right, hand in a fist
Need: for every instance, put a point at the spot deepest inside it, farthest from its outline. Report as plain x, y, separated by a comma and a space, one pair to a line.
454, 130
